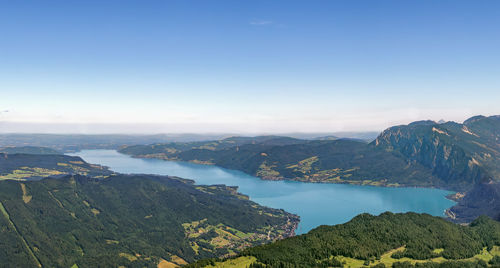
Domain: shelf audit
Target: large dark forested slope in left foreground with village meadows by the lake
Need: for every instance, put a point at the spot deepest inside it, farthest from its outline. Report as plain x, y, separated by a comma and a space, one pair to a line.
128, 220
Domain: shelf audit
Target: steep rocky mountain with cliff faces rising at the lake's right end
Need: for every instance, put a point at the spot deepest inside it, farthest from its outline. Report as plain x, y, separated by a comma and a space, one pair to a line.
461, 155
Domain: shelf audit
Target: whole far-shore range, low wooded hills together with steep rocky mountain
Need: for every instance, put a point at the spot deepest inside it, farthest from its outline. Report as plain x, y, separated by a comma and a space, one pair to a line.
425, 153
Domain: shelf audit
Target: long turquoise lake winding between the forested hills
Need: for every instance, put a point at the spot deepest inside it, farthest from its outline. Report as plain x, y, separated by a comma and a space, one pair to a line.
316, 203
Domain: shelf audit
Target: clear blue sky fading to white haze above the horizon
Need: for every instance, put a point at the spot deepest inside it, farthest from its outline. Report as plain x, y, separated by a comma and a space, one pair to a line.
245, 66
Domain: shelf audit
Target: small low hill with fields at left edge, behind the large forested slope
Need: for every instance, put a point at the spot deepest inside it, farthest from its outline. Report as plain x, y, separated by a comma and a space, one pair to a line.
36, 166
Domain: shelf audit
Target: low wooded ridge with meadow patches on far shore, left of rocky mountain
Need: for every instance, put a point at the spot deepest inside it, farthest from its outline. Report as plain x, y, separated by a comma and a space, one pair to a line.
336, 161
